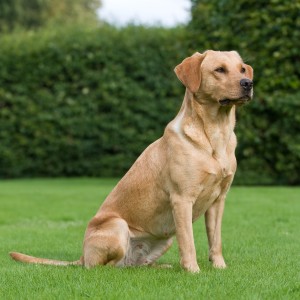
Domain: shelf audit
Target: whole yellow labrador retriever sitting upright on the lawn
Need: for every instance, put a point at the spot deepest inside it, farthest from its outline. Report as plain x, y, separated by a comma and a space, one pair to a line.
181, 176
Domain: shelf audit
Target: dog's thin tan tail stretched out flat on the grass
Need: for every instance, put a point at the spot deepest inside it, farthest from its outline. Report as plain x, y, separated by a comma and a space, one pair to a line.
44, 261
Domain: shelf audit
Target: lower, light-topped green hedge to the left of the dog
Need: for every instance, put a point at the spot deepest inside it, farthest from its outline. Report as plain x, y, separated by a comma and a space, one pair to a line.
85, 102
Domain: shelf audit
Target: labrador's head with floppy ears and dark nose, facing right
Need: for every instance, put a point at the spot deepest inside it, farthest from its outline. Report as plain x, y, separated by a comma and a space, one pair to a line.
217, 76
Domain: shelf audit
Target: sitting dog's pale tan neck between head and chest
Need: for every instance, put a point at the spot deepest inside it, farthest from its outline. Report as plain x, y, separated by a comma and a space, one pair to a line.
217, 122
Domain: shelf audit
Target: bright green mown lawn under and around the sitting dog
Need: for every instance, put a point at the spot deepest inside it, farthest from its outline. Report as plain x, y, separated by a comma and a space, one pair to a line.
47, 218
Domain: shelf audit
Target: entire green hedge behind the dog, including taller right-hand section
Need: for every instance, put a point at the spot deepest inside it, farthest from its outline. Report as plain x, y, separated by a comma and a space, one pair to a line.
86, 100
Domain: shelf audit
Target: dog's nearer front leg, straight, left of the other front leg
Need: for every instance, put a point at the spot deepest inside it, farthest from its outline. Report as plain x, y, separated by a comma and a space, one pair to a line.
182, 212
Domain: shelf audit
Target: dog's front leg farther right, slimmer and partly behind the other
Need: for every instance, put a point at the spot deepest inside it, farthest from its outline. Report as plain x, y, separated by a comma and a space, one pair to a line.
213, 222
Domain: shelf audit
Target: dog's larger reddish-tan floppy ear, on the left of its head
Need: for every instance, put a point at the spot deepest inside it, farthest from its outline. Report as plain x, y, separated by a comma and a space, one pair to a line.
188, 72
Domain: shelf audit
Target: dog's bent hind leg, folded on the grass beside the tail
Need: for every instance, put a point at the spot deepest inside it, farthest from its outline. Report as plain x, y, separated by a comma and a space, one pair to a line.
105, 243
